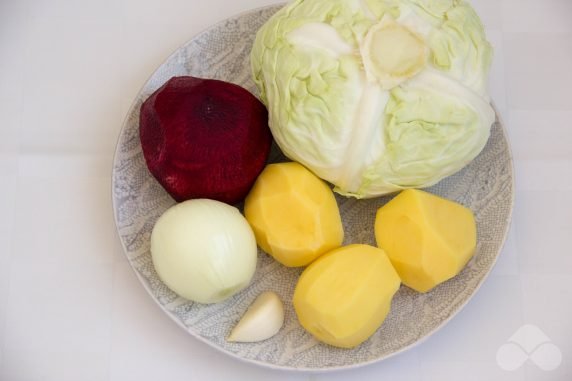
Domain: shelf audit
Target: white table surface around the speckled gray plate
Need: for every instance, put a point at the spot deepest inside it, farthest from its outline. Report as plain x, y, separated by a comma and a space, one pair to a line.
72, 309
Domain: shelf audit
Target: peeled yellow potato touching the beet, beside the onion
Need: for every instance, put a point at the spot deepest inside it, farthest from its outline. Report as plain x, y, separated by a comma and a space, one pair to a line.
294, 214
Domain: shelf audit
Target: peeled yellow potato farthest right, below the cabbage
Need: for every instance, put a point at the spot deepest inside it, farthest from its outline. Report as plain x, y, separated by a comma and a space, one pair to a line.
427, 238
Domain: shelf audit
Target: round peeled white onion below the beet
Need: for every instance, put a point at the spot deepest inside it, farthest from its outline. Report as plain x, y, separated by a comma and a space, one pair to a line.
204, 250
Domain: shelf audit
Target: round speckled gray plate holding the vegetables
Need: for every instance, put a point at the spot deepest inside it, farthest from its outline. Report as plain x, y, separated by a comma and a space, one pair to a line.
486, 186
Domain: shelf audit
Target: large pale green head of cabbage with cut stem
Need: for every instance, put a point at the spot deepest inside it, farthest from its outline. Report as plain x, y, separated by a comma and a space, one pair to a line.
375, 96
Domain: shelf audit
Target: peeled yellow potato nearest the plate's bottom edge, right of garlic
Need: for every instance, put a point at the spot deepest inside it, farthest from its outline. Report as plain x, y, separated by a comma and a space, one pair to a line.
343, 297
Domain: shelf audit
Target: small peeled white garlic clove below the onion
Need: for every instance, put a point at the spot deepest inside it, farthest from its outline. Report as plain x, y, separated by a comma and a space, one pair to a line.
262, 320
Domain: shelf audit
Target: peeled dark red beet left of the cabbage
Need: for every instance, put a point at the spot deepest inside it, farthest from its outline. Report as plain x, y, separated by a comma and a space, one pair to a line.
204, 138
